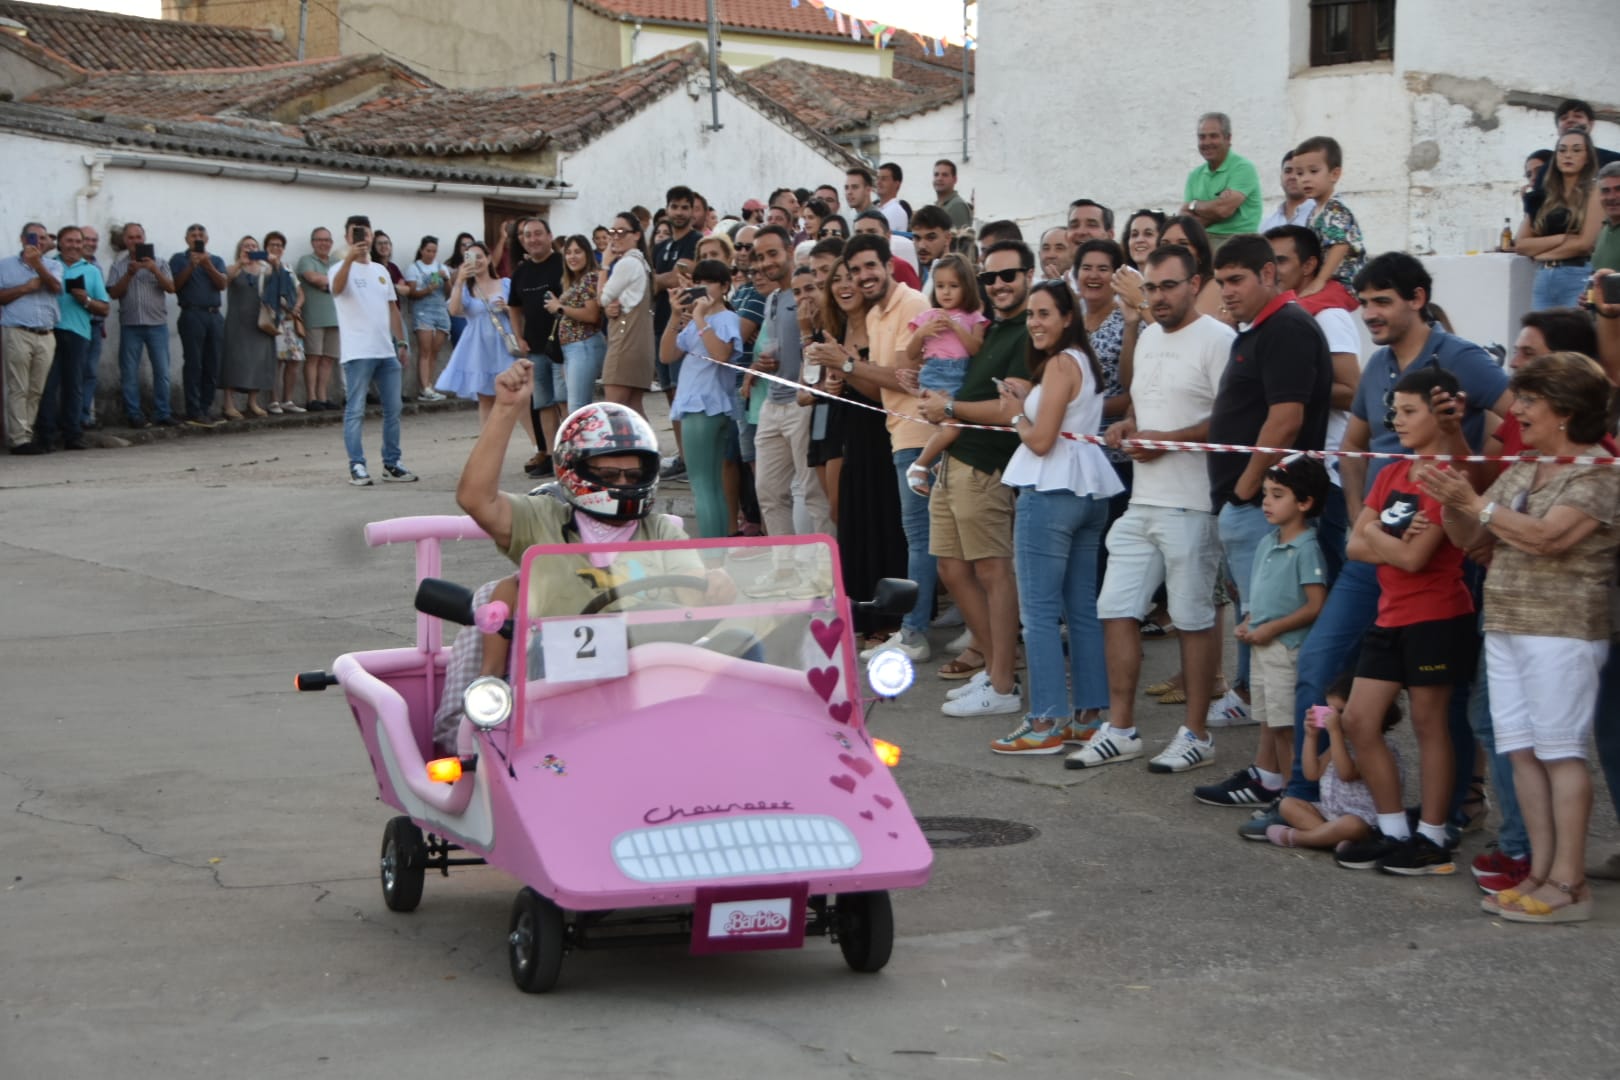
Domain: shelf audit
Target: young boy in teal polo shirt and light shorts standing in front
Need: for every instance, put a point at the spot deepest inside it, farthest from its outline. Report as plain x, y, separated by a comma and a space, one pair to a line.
1287, 592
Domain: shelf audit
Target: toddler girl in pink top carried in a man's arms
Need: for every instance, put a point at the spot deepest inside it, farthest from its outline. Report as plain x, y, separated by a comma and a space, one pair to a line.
944, 341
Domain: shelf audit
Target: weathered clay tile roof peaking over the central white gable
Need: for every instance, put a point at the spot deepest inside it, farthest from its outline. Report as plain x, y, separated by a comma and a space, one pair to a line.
568, 116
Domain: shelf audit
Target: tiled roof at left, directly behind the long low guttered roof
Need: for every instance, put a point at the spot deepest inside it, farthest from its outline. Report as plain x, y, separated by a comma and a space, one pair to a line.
241, 93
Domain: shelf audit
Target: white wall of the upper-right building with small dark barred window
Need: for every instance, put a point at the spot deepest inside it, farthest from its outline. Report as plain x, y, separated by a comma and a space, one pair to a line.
1433, 155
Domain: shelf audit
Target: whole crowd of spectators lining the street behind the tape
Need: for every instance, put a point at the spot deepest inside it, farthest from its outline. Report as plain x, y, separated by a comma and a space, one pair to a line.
1475, 595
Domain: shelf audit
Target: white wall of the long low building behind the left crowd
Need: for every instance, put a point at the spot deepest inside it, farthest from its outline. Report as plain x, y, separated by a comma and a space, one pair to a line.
43, 177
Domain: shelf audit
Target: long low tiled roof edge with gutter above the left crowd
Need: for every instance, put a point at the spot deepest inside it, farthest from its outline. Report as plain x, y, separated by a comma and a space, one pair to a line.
284, 148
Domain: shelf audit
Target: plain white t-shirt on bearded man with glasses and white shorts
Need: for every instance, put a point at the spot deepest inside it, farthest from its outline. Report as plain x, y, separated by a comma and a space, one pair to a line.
1174, 386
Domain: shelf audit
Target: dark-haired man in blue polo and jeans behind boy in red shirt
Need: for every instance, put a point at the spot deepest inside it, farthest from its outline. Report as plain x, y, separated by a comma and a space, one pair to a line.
1394, 291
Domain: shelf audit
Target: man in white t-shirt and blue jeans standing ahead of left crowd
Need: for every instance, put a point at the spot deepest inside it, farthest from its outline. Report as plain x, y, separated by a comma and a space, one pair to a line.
373, 342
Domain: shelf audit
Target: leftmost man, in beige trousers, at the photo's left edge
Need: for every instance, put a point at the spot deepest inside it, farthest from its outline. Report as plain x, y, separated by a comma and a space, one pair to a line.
28, 320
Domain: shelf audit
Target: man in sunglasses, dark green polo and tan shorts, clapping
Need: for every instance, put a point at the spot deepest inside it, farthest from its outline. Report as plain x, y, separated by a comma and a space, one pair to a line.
971, 511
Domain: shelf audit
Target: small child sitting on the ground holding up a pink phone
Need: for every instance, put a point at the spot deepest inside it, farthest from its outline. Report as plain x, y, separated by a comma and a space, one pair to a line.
1345, 812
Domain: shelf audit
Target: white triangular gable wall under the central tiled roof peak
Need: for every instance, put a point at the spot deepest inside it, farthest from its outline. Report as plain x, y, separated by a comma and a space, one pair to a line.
668, 143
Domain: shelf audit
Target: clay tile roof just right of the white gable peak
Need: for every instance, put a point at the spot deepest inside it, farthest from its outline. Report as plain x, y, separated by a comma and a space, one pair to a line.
833, 101
